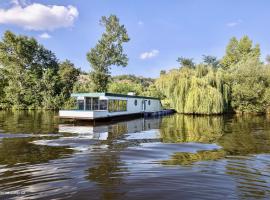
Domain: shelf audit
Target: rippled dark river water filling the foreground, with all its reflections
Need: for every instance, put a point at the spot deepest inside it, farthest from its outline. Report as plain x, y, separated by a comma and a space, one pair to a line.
173, 157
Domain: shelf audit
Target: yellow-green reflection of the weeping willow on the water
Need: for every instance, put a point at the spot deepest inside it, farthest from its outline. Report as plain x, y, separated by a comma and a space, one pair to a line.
186, 128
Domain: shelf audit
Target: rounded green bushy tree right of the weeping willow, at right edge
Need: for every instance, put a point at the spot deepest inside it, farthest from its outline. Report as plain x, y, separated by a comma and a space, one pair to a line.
249, 83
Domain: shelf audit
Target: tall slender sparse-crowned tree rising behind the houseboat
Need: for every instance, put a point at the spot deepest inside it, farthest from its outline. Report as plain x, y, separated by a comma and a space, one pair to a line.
107, 52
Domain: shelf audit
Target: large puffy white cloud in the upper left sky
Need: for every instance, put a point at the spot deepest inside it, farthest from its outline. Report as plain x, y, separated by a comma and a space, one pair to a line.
38, 16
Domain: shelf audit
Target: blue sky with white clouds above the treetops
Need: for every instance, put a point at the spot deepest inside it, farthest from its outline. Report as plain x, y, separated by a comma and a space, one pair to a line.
160, 30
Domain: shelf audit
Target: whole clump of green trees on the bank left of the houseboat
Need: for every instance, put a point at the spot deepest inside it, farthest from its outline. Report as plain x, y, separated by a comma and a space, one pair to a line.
30, 75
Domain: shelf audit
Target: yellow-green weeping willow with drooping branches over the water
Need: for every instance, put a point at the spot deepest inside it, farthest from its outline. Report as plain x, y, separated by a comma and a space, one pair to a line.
200, 90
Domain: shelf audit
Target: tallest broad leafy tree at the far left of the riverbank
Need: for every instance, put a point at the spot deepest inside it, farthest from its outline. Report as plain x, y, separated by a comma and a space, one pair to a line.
24, 62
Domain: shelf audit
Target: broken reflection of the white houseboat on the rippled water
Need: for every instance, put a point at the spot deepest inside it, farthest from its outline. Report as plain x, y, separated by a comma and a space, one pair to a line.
132, 129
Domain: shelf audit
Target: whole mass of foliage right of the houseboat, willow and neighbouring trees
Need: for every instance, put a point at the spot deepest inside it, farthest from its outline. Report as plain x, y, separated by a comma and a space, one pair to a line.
241, 85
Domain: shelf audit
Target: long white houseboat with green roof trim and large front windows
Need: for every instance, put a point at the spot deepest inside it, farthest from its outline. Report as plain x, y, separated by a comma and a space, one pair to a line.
91, 106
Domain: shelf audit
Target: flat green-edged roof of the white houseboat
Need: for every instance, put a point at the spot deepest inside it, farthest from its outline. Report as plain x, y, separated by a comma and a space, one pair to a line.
98, 94
